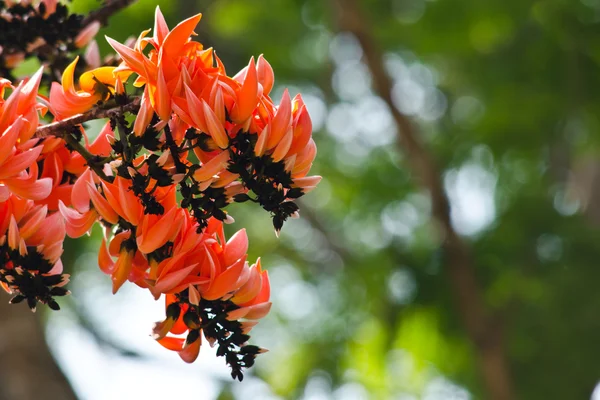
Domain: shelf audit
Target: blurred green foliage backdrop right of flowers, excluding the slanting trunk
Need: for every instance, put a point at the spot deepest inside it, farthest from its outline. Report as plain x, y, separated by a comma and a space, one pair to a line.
505, 96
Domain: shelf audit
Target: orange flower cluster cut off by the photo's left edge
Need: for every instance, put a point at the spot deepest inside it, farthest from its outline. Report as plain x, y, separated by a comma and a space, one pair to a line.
35, 175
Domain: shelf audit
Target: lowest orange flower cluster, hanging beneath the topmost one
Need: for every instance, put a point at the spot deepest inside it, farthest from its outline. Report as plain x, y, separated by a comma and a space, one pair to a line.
166, 254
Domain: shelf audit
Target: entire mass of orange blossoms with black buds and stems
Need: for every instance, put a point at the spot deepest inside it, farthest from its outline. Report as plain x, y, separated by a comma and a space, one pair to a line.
158, 184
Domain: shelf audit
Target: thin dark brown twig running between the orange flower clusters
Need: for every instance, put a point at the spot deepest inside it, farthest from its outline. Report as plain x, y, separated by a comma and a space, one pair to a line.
62, 128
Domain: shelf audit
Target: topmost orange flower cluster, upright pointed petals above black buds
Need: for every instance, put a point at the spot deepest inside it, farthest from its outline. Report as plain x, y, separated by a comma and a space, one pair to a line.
187, 85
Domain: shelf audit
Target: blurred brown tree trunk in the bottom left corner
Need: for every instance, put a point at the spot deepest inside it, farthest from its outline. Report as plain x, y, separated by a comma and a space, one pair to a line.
27, 369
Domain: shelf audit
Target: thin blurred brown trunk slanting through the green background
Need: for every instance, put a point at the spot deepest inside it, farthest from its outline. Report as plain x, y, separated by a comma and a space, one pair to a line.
483, 331
